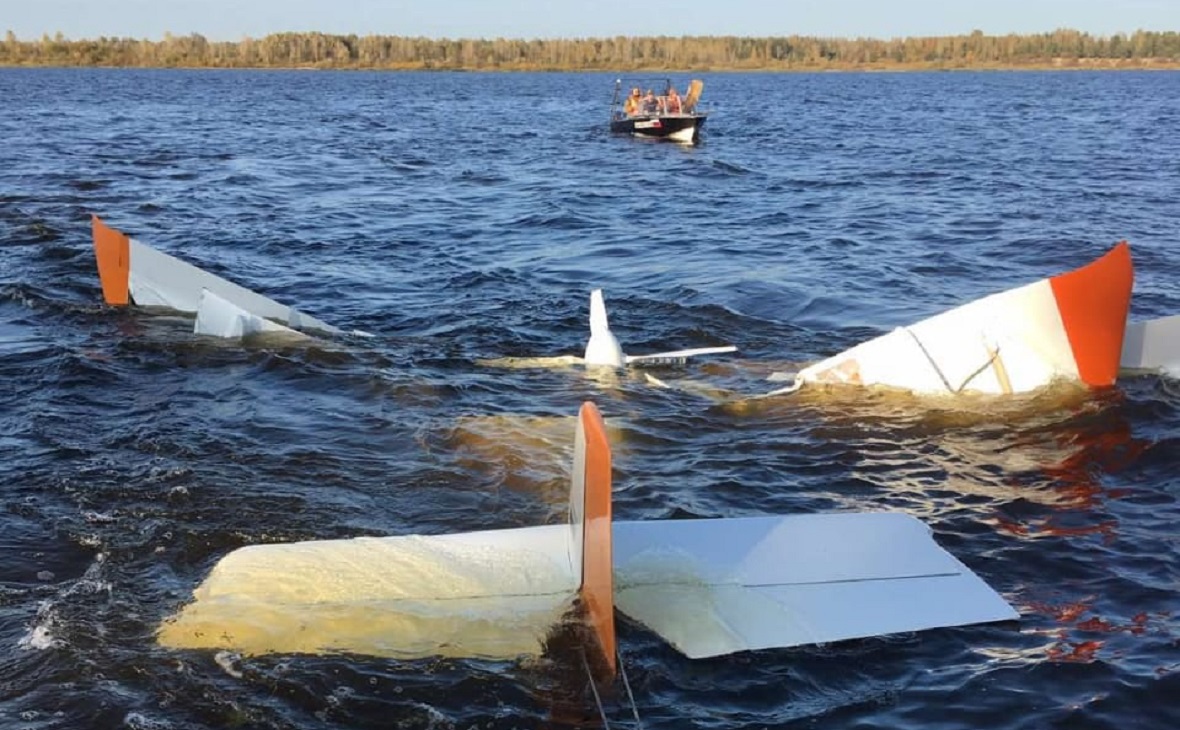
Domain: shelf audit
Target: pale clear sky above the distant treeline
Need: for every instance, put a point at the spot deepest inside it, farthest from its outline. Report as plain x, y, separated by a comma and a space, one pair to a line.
528, 19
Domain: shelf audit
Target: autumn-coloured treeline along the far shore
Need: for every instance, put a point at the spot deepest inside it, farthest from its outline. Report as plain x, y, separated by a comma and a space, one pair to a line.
1059, 49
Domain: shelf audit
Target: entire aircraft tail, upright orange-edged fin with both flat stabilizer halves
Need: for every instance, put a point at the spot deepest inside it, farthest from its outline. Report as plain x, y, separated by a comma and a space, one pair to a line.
710, 587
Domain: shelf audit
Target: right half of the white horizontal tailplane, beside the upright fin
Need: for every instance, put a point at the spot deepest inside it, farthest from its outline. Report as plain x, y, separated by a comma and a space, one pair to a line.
718, 587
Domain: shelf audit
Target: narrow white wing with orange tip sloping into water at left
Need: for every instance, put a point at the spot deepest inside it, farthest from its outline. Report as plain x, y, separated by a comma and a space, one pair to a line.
135, 273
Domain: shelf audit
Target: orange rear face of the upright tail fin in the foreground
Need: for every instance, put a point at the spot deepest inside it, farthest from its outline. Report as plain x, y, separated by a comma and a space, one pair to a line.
598, 574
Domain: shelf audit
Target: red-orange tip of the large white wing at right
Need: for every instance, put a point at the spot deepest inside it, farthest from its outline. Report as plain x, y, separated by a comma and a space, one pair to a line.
1094, 302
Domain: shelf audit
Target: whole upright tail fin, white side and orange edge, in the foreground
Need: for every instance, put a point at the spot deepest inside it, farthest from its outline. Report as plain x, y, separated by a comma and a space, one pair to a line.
592, 530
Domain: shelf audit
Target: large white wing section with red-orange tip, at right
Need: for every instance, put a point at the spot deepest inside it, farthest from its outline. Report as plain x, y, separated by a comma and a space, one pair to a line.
1068, 327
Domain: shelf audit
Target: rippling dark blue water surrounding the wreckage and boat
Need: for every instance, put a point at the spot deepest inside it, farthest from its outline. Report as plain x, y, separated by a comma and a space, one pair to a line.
461, 218
